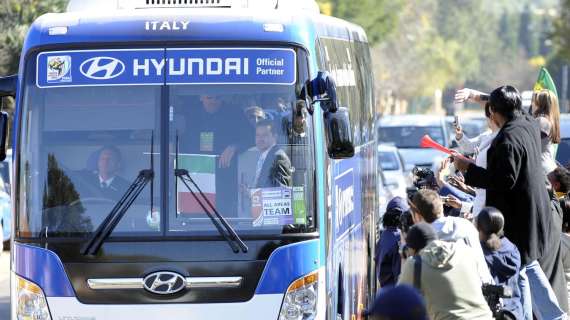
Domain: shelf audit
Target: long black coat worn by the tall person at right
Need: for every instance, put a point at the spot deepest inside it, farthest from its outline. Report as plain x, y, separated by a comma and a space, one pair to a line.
515, 184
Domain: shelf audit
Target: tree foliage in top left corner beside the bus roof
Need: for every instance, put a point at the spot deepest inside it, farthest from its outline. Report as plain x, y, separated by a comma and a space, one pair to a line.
15, 19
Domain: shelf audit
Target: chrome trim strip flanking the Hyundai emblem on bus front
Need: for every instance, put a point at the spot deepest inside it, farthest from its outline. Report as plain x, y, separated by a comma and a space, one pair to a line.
137, 283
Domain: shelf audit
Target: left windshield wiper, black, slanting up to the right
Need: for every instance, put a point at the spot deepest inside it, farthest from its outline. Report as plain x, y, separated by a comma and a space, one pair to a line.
117, 213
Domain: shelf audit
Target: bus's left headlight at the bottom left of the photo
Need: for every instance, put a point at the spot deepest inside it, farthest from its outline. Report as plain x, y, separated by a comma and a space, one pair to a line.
31, 302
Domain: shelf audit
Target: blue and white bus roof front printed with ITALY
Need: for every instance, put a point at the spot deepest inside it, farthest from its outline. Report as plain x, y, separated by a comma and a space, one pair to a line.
167, 25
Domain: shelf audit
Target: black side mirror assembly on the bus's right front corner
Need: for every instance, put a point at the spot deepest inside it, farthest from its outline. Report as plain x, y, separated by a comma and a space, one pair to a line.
338, 133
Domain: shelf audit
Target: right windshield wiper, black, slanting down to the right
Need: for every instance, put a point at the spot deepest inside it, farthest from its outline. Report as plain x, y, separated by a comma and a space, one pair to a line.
221, 224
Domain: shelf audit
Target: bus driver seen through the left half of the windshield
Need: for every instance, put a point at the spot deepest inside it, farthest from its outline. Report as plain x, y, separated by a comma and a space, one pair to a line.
106, 180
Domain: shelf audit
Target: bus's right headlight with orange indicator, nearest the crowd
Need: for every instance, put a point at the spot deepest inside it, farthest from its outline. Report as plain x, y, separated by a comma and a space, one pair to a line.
300, 302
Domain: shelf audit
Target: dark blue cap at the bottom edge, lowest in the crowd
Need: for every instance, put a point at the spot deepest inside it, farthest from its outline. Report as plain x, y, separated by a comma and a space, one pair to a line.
402, 302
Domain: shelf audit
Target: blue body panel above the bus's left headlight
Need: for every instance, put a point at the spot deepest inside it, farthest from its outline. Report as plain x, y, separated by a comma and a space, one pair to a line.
44, 268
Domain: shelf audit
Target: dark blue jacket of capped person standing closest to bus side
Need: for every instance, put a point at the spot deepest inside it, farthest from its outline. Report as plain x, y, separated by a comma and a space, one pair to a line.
387, 257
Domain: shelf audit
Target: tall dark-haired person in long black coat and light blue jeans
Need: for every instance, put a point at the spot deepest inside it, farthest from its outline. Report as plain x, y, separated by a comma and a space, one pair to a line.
515, 185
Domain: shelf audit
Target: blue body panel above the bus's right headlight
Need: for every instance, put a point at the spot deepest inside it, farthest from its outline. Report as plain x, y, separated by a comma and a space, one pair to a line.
287, 264
